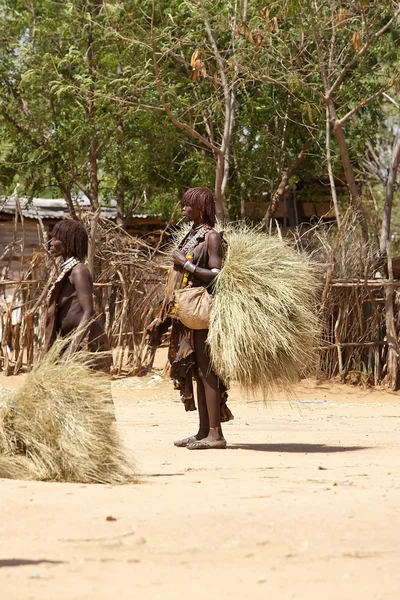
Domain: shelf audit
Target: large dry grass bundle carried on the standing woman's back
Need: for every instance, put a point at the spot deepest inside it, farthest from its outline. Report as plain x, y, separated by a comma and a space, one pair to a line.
263, 324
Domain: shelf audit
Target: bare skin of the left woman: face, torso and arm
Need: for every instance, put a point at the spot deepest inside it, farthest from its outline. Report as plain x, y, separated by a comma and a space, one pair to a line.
75, 302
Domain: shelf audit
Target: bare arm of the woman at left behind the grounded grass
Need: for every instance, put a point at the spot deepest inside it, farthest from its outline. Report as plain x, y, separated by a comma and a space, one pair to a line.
82, 281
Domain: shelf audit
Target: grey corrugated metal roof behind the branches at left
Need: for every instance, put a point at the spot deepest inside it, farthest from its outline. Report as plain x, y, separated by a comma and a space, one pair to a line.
45, 208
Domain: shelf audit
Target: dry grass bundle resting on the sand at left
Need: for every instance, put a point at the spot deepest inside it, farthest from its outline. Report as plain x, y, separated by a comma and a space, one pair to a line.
60, 425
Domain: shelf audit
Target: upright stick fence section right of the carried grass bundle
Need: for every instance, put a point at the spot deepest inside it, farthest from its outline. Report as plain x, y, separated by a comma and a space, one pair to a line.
358, 306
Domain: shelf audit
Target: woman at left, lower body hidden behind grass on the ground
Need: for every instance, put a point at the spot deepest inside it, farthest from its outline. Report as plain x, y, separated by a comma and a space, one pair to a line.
70, 299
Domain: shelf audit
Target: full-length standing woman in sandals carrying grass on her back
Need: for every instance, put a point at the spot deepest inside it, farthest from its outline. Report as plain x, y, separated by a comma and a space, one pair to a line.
197, 262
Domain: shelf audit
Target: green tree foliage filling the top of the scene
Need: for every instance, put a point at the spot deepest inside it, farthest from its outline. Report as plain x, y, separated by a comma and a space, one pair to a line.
80, 110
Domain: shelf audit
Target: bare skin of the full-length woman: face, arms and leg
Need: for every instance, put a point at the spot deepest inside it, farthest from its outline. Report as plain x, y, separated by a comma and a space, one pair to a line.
208, 394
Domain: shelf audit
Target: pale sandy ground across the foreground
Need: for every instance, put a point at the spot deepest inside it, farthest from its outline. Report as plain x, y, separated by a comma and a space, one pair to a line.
303, 504
